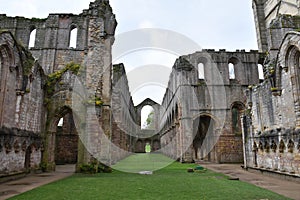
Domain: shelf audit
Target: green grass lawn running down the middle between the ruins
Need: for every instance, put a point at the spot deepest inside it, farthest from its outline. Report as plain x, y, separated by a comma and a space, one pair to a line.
172, 182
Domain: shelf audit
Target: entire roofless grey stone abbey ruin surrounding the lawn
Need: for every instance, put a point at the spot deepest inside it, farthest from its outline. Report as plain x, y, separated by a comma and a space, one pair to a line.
215, 108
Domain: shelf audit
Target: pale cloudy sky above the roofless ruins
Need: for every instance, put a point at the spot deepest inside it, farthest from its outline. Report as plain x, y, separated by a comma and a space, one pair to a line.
212, 24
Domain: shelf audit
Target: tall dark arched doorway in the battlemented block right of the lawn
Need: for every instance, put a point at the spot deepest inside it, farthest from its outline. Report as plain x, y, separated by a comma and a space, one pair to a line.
204, 128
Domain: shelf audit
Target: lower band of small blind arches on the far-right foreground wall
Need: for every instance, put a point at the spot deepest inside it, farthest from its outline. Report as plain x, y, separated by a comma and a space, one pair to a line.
277, 151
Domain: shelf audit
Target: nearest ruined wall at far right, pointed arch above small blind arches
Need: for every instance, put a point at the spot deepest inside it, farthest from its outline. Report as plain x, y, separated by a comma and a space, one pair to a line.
273, 137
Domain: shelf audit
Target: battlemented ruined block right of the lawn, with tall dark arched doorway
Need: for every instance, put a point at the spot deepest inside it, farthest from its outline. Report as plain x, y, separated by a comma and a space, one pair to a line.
188, 98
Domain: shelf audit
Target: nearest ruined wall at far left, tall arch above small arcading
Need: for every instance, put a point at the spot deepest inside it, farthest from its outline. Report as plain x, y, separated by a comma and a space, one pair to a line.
21, 107
